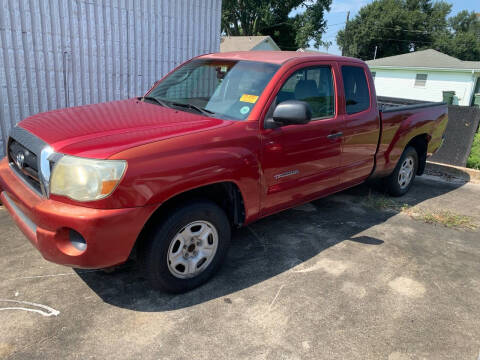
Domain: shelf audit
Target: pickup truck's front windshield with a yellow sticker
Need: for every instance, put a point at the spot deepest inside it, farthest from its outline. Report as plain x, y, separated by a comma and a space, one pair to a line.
221, 88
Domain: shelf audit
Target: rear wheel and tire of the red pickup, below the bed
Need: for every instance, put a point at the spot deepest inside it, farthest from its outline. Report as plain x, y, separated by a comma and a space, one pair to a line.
400, 181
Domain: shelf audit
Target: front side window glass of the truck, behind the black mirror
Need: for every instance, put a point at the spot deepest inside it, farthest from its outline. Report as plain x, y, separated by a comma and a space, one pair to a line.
313, 85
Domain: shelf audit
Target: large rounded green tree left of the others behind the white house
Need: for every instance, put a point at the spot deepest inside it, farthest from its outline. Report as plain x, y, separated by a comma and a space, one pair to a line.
394, 27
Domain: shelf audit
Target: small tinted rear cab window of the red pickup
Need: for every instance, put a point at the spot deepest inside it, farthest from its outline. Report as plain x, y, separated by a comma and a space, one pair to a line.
357, 94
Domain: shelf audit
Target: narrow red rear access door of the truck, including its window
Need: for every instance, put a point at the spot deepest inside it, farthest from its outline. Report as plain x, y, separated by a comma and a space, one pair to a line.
362, 125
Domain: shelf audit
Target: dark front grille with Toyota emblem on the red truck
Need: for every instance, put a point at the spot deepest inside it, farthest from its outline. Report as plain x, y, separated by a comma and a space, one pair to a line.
24, 162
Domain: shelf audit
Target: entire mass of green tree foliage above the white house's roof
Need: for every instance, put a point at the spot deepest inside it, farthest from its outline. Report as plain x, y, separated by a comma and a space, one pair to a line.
399, 26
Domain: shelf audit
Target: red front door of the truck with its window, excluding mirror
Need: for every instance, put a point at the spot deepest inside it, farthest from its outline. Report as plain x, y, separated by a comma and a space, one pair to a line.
302, 161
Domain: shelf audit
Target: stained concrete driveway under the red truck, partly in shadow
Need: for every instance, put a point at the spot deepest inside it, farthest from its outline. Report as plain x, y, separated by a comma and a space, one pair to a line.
352, 276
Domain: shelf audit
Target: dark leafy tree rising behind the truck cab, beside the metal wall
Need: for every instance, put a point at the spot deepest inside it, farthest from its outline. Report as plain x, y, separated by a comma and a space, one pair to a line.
271, 17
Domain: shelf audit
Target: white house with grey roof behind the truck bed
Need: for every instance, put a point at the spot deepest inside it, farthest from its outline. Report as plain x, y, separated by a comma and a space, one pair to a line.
424, 75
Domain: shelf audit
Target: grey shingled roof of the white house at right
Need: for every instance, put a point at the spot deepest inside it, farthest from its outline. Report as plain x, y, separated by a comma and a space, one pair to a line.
425, 59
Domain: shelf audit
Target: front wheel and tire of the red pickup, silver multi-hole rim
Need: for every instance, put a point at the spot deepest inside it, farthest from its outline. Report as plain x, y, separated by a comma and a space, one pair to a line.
187, 248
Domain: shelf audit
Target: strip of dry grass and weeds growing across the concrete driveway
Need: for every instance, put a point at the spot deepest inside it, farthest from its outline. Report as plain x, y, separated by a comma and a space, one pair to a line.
445, 218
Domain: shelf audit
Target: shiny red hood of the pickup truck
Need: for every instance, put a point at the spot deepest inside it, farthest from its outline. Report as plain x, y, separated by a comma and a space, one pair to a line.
101, 130
